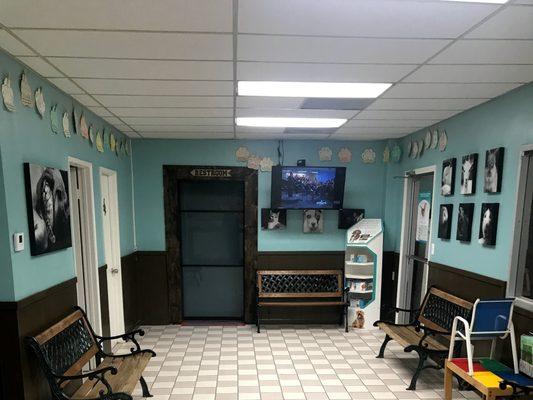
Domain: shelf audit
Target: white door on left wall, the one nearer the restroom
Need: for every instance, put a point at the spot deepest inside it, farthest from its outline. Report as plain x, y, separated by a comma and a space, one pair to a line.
109, 207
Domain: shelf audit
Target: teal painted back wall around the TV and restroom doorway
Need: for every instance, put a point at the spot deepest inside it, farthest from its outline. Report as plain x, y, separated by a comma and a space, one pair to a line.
364, 186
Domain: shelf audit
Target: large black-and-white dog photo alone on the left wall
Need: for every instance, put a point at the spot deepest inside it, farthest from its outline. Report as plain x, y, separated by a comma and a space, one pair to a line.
48, 208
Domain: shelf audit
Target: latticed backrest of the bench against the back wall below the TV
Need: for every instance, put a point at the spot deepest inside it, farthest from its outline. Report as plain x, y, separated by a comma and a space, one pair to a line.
300, 283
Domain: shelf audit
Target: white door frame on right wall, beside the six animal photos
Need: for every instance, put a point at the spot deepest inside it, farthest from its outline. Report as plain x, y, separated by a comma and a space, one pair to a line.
403, 298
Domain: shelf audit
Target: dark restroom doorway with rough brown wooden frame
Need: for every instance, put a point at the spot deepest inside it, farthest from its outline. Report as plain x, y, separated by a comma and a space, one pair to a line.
211, 239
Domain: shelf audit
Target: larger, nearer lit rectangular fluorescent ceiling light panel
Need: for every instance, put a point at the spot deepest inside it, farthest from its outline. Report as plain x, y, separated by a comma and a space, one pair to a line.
312, 89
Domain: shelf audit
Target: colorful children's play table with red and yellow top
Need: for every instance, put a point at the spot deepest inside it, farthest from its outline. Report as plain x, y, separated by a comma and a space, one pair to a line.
487, 376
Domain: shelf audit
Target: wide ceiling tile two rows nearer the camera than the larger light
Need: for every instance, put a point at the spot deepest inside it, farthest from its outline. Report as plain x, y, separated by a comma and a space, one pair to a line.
335, 50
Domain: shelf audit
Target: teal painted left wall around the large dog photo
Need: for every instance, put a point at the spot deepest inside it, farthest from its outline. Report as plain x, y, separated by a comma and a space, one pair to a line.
25, 137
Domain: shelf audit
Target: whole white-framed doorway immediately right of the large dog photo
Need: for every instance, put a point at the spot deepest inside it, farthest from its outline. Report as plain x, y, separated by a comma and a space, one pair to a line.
84, 239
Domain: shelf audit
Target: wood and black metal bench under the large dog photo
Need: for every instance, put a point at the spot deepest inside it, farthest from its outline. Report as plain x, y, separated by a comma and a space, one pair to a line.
65, 348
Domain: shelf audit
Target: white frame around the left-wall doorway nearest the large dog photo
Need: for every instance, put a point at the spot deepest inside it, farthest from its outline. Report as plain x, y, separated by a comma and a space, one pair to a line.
90, 250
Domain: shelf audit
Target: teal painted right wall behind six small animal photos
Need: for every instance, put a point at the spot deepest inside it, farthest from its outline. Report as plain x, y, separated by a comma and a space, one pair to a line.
506, 121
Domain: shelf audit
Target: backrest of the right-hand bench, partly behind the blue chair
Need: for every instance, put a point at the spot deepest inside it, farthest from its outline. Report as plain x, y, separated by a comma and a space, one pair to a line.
440, 308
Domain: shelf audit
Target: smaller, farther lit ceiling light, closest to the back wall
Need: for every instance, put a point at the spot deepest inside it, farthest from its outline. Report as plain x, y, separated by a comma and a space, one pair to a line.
275, 122
